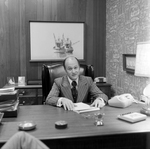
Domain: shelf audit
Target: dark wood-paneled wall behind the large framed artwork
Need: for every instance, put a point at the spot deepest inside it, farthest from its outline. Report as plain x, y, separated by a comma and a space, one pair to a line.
14, 32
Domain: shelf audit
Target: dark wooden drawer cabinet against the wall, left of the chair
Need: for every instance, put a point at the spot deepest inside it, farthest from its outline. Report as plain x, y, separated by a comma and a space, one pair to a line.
27, 99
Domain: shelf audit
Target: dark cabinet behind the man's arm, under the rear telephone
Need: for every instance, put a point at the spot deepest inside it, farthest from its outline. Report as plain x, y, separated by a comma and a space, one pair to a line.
105, 88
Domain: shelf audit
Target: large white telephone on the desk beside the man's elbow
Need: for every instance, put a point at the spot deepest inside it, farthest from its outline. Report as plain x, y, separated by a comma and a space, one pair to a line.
121, 101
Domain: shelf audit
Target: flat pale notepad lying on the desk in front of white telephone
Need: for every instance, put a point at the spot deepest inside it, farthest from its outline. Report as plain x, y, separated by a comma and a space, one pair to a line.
132, 117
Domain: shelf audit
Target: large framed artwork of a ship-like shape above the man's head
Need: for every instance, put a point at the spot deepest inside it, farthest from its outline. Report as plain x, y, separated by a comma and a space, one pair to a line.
54, 41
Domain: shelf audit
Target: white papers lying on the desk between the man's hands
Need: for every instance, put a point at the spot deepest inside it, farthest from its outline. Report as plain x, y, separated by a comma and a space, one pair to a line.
82, 107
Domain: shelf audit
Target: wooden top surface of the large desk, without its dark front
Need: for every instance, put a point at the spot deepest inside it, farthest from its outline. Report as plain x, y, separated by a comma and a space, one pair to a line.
45, 117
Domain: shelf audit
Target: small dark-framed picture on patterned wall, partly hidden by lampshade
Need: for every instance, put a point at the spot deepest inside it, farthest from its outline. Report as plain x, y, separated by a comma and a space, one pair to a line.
129, 63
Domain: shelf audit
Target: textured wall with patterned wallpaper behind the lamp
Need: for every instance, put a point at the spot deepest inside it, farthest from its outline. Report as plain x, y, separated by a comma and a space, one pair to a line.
128, 22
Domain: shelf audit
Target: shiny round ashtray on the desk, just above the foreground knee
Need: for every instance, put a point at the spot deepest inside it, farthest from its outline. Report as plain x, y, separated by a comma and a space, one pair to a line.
27, 125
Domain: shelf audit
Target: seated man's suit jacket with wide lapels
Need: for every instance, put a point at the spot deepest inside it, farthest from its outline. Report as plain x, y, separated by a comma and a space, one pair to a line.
62, 88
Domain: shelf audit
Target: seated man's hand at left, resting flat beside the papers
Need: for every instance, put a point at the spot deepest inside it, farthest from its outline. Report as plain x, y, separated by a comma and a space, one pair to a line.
67, 104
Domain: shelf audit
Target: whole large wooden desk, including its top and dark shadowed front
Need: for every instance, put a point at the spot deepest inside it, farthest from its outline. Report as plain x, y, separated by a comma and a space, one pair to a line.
81, 132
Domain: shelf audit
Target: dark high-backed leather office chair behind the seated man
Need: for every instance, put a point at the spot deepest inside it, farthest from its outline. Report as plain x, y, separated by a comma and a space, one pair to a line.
53, 71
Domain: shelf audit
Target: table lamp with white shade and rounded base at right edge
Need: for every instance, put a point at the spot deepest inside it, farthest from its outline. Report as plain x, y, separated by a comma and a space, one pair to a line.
142, 69
